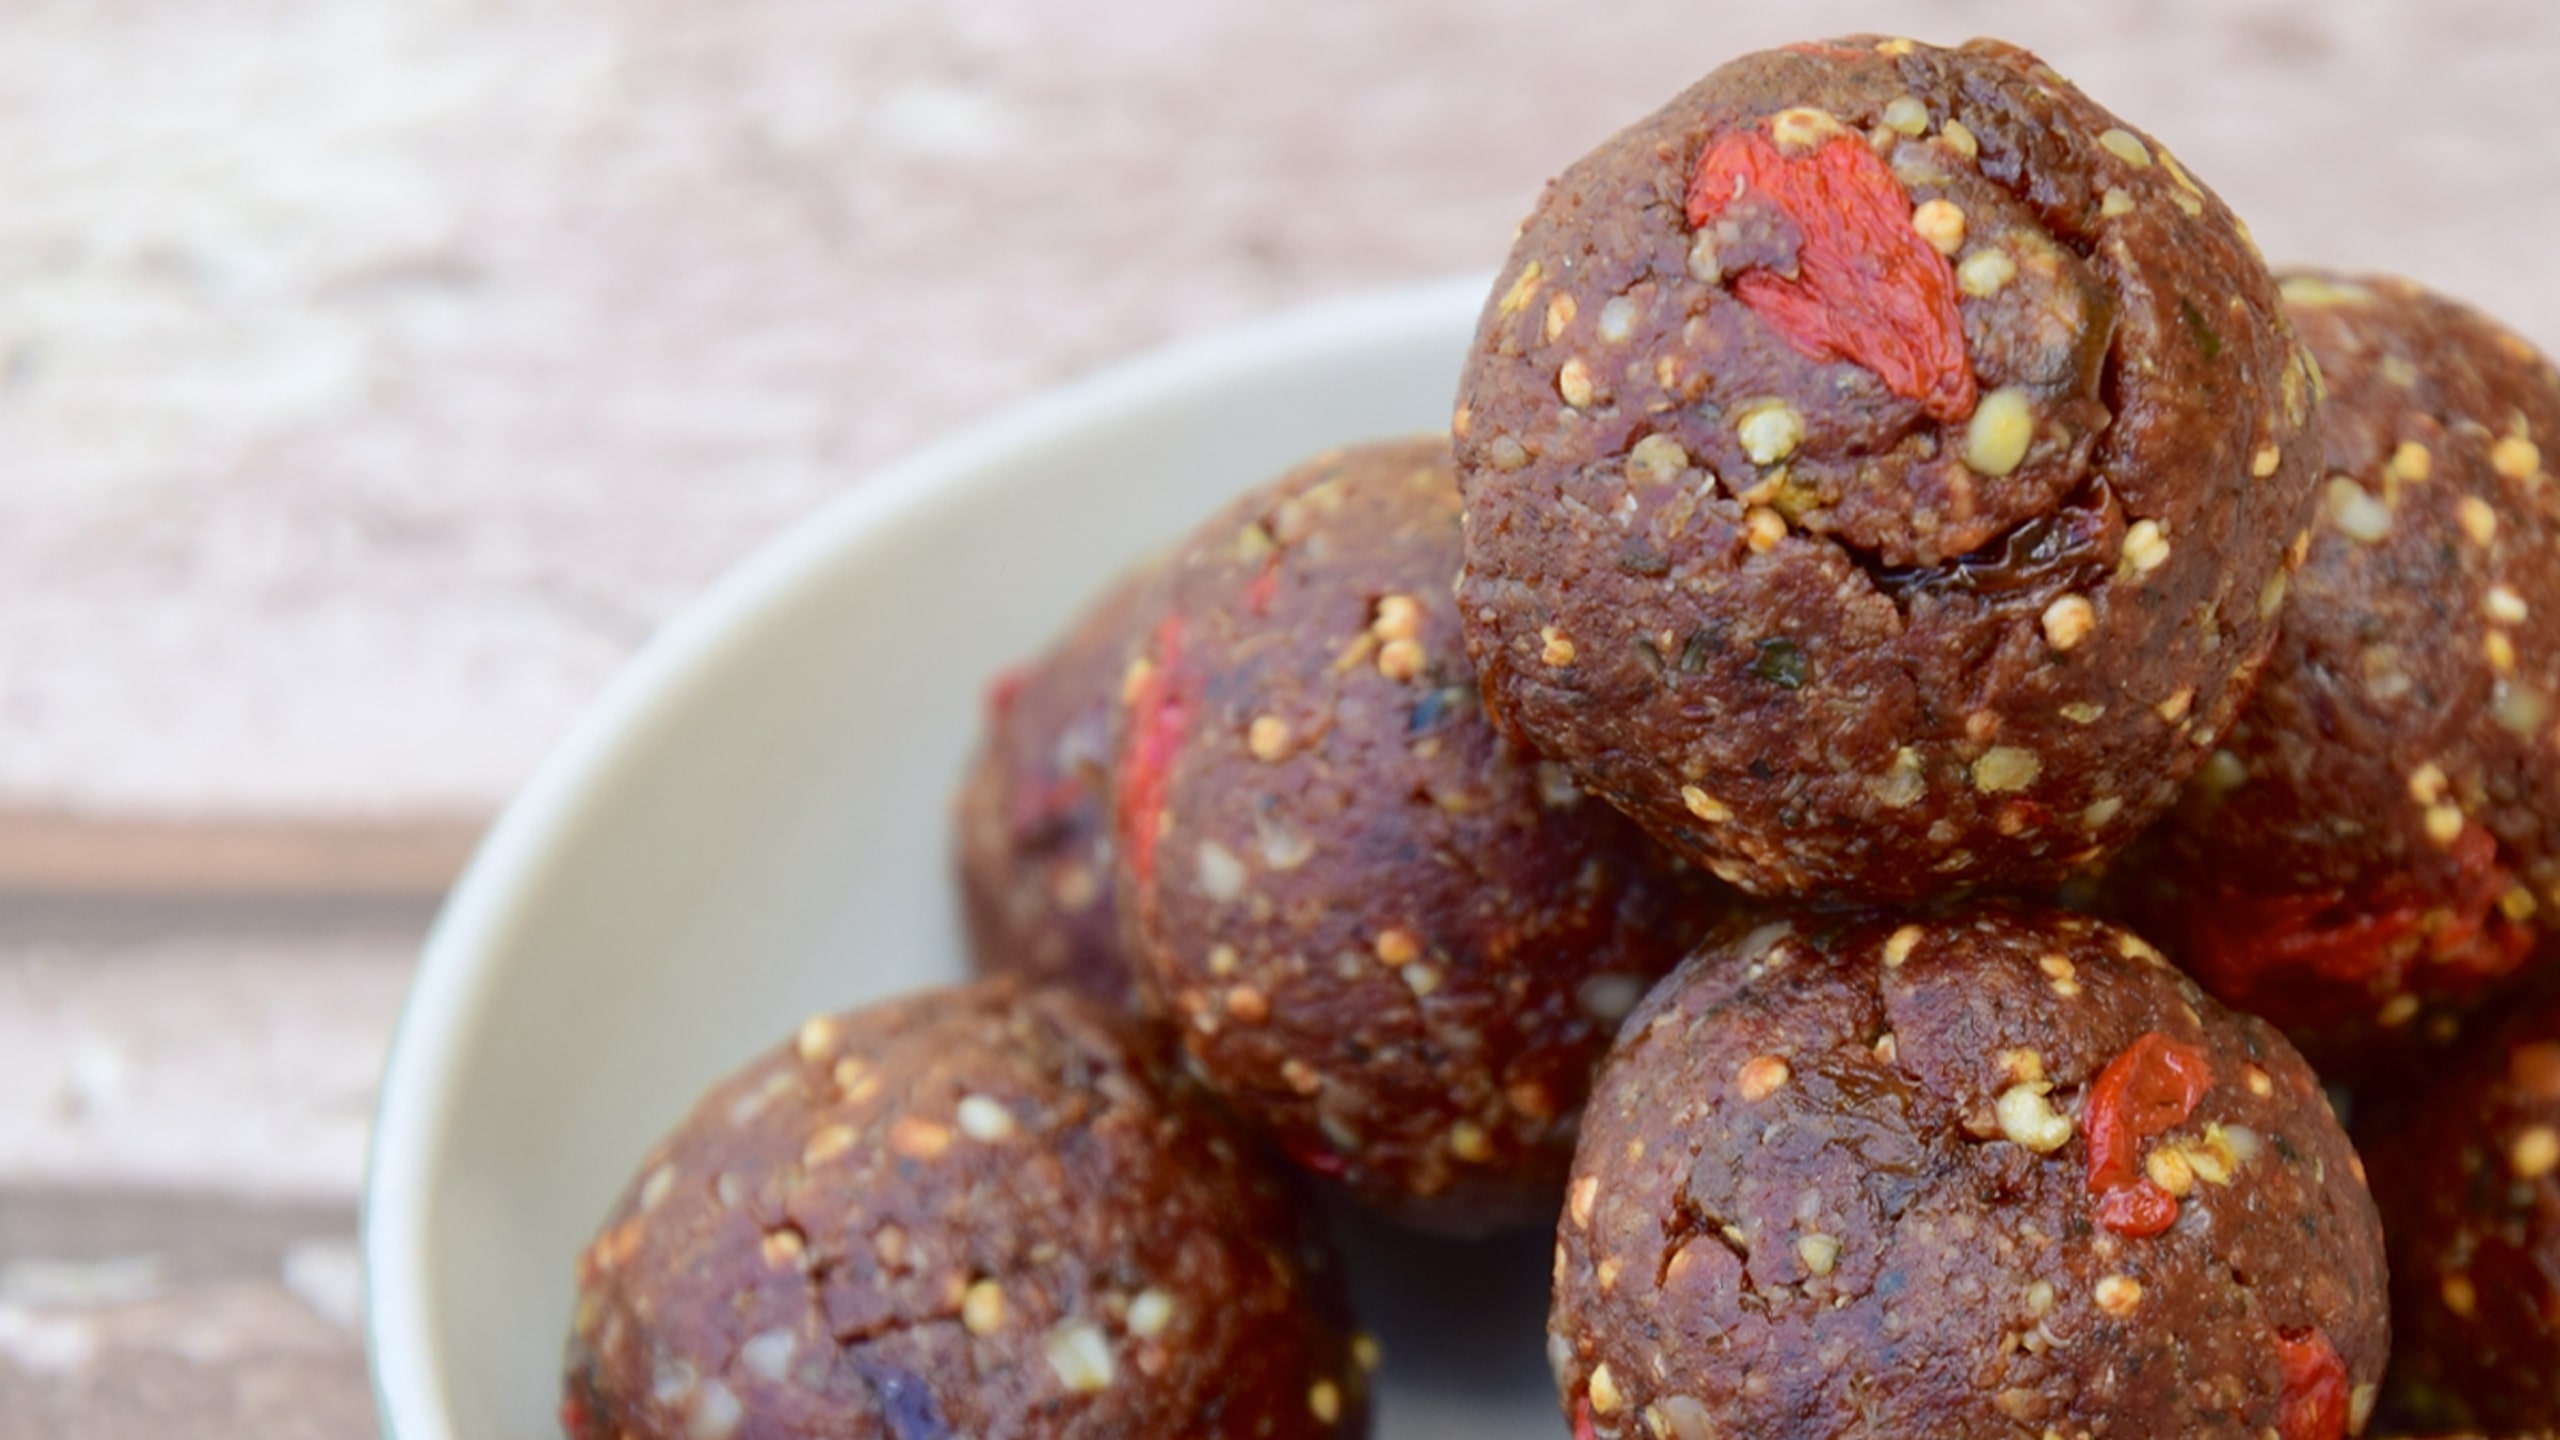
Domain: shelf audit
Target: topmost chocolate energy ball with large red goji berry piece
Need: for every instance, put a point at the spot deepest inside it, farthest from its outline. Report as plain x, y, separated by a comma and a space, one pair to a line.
1880, 470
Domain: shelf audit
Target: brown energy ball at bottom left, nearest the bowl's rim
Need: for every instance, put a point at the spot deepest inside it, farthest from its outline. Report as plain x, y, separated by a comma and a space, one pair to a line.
979, 1211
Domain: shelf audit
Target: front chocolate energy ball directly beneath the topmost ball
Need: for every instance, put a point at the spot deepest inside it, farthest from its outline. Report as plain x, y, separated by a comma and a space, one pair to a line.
1962, 1175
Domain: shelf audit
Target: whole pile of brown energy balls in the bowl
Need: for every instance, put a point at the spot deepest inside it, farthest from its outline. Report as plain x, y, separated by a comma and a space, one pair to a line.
1975, 732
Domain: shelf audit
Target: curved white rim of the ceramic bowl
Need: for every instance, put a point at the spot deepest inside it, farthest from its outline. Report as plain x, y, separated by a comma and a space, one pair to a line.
495, 890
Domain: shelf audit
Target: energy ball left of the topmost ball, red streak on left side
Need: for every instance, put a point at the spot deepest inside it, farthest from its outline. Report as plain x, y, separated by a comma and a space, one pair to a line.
1384, 931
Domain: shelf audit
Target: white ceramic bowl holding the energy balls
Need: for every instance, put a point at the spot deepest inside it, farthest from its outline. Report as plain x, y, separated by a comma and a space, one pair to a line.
754, 826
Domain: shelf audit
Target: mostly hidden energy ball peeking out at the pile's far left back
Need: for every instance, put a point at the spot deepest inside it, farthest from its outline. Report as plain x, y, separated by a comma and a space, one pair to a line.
1036, 811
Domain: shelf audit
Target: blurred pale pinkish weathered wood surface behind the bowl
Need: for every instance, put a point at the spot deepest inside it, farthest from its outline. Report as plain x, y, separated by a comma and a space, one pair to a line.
375, 378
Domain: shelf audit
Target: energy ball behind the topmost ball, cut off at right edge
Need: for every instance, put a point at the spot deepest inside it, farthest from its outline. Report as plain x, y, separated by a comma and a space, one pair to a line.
2377, 844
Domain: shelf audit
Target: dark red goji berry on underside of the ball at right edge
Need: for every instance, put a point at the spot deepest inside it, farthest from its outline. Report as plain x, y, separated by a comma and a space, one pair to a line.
2318, 957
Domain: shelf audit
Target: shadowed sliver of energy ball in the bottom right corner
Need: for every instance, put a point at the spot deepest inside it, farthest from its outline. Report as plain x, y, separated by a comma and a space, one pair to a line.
2469, 1180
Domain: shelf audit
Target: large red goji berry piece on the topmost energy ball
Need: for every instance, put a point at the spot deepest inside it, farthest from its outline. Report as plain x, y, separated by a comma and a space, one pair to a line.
1865, 288
